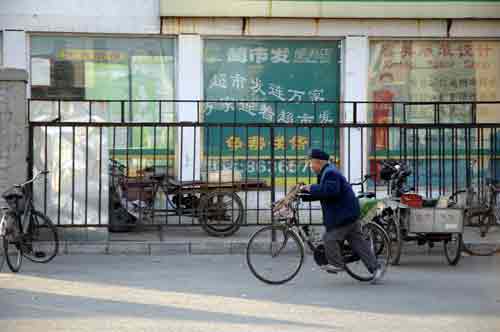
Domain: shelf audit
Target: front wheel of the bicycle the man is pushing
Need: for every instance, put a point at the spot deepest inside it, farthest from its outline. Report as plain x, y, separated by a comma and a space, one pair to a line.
275, 254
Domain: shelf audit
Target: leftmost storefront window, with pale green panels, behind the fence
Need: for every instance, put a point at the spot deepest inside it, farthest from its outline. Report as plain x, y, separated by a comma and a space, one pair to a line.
109, 71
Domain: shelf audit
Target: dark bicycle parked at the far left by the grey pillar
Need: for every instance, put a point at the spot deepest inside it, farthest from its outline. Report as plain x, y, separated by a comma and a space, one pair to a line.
26, 232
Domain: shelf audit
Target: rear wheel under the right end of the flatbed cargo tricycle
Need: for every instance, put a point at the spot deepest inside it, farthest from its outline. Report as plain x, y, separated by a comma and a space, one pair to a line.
221, 213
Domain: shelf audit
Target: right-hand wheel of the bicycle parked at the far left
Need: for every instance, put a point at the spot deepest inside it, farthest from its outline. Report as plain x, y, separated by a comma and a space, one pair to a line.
41, 242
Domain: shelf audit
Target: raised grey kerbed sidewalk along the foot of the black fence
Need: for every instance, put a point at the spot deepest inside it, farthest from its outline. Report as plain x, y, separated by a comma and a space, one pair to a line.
190, 240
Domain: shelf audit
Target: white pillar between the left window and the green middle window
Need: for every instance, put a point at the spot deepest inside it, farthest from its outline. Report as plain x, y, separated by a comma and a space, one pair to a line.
189, 87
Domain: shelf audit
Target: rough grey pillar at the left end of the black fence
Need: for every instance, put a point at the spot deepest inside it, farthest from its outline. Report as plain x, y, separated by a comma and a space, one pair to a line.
13, 131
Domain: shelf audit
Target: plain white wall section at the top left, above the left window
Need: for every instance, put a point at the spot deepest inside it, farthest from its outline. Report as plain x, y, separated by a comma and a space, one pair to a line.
89, 16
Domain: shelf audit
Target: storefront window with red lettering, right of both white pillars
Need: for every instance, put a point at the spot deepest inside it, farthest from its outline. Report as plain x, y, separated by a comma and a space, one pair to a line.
431, 71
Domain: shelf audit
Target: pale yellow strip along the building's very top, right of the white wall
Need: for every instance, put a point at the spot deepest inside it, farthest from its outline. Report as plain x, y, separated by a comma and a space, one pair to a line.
331, 9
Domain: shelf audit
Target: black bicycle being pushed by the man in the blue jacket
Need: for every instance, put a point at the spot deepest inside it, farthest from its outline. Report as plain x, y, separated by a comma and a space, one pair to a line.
284, 242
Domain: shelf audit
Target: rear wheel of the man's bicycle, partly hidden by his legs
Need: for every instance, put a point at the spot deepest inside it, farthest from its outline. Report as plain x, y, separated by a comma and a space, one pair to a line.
381, 246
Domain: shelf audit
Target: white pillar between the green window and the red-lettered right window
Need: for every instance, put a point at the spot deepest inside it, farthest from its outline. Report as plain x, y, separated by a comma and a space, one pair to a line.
356, 58
